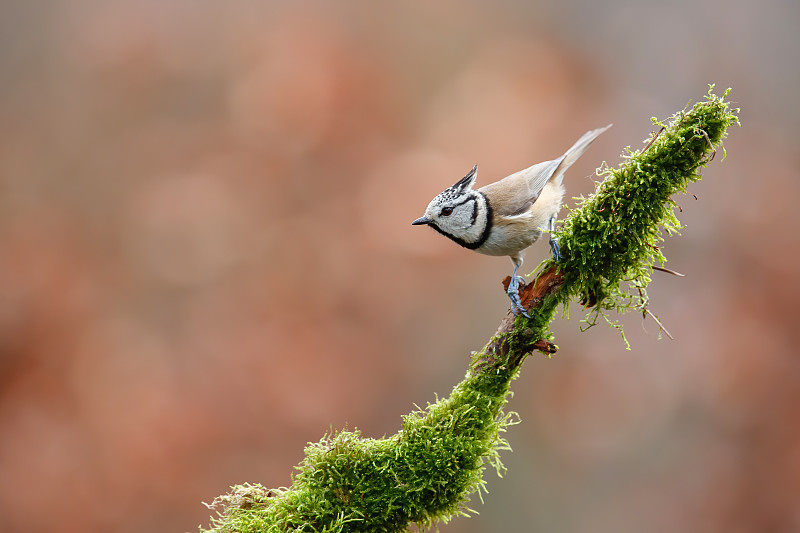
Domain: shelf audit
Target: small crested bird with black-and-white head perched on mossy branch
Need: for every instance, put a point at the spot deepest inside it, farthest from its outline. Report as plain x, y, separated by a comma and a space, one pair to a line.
504, 218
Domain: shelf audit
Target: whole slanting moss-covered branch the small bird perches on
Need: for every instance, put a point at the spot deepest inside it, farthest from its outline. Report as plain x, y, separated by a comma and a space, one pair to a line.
429, 470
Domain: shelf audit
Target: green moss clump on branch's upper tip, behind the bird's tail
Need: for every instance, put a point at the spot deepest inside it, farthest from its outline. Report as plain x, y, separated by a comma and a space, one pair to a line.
611, 240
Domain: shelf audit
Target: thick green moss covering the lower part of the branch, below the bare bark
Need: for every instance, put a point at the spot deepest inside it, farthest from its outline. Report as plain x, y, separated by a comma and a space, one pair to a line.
424, 473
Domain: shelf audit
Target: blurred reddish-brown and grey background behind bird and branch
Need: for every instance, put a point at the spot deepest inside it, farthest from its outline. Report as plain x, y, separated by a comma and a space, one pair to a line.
206, 258
